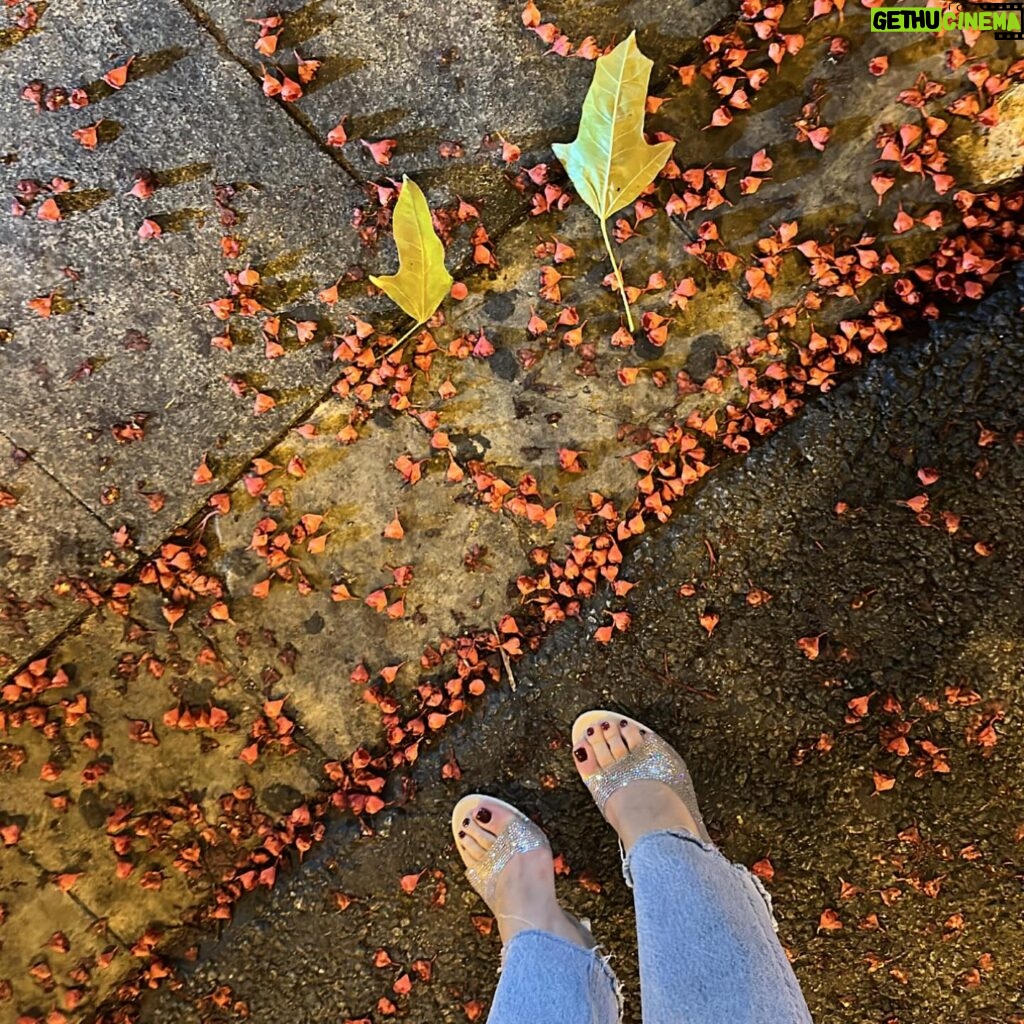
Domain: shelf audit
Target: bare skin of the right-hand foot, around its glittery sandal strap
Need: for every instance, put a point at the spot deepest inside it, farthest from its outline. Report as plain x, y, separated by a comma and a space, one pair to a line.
637, 808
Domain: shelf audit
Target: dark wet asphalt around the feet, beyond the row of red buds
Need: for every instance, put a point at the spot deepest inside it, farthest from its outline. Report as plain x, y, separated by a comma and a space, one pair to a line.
924, 877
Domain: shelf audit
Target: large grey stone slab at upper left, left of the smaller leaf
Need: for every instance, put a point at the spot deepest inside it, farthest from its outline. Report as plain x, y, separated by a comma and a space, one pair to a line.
130, 332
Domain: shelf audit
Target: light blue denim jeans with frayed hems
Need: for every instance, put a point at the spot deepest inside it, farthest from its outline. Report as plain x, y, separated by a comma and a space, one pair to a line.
707, 943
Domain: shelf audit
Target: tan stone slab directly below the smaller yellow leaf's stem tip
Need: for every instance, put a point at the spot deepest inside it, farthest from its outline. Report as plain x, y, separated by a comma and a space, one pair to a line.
358, 492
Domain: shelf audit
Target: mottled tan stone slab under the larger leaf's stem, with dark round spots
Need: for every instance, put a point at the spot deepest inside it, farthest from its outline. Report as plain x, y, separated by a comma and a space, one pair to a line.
538, 396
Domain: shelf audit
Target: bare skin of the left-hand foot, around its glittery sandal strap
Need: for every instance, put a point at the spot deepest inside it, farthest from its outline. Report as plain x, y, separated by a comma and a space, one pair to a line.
525, 895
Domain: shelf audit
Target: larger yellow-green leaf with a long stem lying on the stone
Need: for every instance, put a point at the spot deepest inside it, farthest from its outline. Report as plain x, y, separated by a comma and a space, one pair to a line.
610, 161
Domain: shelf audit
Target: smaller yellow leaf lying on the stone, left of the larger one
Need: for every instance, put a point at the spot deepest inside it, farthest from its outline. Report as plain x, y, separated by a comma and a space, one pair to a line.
422, 281
